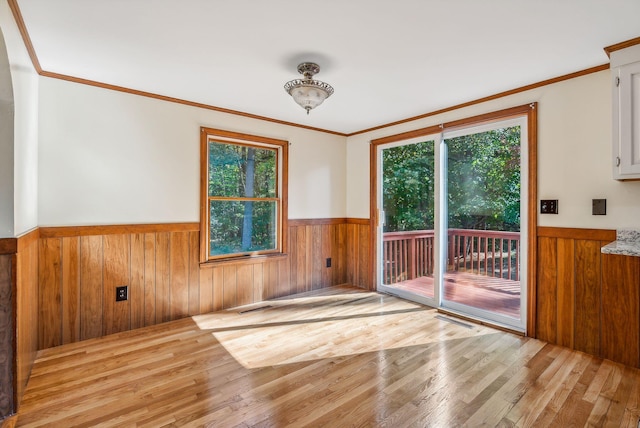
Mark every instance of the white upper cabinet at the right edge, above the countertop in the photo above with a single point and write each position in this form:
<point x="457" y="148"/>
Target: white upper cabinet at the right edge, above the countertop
<point x="625" y="71"/>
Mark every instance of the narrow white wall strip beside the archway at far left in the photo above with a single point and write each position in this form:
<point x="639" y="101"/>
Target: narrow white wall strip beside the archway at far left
<point x="25" y="128"/>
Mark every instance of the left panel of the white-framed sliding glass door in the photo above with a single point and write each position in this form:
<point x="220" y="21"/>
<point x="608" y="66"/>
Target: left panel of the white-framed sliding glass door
<point x="408" y="212"/>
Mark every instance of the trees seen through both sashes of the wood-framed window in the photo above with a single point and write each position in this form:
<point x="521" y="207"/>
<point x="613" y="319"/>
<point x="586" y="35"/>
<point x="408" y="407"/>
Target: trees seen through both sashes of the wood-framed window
<point x="242" y="198"/>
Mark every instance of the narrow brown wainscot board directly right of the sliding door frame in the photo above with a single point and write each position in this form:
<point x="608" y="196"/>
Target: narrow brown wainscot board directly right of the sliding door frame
<point x="547" y="274"/>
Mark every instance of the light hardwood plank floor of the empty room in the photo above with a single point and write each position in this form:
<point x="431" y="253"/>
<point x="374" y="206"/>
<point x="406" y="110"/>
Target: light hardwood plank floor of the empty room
<point x="335" y="357"/>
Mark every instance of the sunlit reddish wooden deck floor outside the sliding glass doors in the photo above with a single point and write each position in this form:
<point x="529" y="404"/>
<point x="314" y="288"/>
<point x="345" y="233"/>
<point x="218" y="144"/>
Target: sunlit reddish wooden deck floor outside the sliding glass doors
<point x="492" y="294"/>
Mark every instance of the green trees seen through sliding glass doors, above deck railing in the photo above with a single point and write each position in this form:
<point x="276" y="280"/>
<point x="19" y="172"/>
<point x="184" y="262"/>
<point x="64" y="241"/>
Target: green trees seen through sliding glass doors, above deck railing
<point x="483" y="182"/>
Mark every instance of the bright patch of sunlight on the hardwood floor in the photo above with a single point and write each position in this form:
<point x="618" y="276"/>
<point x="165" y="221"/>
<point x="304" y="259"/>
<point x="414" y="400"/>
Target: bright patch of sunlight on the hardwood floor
<point x="269" y="334"/>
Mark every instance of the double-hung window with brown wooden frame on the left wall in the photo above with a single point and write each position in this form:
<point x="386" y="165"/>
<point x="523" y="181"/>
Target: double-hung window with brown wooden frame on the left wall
<point x="243" y="207"/>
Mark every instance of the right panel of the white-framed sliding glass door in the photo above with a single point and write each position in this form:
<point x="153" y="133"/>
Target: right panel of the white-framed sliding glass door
<point x="485" y="214"/>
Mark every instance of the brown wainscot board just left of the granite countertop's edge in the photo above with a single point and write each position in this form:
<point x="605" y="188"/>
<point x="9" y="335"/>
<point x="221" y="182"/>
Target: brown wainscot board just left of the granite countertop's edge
<point x="587" y="298"/>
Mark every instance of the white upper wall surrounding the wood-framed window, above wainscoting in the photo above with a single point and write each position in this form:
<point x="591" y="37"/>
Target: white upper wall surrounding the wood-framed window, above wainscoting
<point x="108" y="157"/>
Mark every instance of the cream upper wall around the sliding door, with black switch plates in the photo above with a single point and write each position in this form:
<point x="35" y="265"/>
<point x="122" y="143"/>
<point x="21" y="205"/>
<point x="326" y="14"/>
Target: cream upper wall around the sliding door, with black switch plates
<point x="574" y="154"/>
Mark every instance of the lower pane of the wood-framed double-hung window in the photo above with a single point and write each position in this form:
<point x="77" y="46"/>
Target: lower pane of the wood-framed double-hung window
<point x="242" y="226"/>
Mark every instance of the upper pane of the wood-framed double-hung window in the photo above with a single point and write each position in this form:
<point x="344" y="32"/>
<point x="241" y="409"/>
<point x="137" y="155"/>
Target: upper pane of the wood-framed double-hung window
<point x="241" y="171"/>
